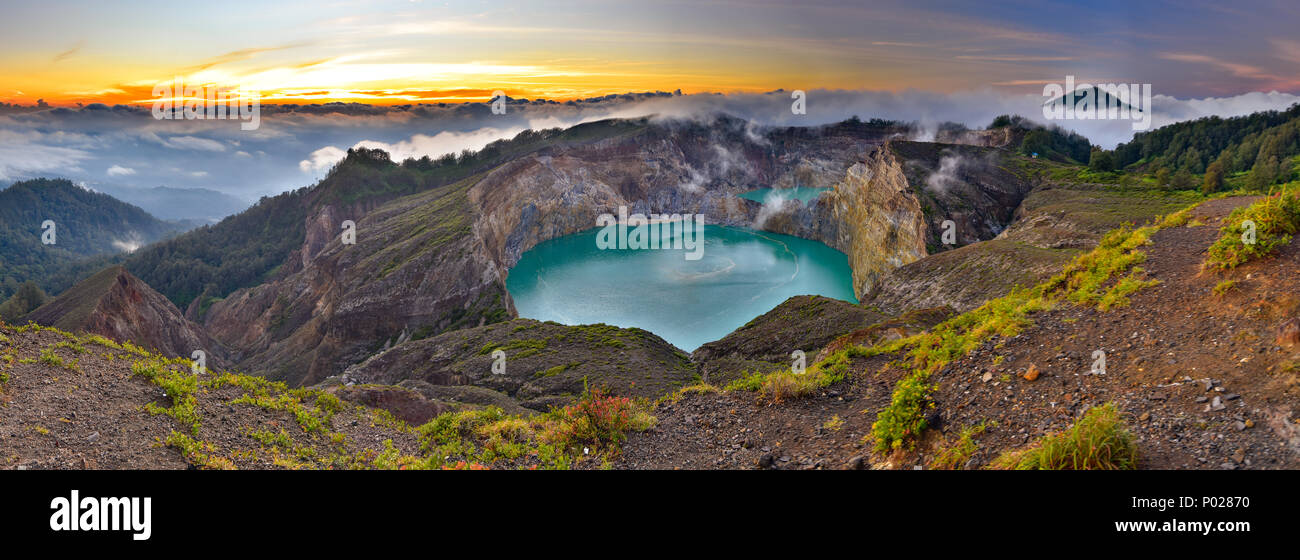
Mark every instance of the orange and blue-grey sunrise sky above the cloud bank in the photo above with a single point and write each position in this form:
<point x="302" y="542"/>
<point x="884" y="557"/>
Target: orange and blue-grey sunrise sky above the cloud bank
<point x="396" y="53"/>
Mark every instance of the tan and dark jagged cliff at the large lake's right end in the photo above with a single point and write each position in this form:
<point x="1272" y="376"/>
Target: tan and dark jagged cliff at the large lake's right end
<point x="890" y="209"/>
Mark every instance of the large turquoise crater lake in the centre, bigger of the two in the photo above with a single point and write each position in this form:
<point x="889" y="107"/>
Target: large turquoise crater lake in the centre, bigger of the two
<point x="742" y="276"/>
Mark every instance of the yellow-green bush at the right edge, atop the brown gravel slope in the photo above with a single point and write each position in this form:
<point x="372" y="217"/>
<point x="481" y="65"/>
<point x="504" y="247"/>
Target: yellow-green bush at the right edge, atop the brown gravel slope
<point x="1276" y="219"/>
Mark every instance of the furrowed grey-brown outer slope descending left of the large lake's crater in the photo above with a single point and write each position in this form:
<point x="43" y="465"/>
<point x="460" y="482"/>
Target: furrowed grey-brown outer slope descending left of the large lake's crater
<point x="417" y="268"/>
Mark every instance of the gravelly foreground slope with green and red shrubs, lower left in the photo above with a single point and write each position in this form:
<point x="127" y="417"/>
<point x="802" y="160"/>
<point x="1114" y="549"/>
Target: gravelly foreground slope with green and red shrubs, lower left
<point x="84" y="402"/>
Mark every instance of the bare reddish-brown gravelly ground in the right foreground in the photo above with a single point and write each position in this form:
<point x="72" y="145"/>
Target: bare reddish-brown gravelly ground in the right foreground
<point x="1171" y="357"/>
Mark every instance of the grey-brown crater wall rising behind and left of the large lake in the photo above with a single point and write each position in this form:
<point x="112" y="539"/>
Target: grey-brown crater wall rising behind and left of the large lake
<point x="671" y="168"/>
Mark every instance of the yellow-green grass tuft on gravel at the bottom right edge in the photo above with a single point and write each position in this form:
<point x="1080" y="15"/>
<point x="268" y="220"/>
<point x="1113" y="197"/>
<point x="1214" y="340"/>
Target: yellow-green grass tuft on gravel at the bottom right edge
<point x="1099" y="441"/>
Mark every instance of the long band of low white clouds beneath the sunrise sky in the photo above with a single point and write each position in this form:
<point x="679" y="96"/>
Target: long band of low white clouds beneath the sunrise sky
<point x="125" y="147"/>
